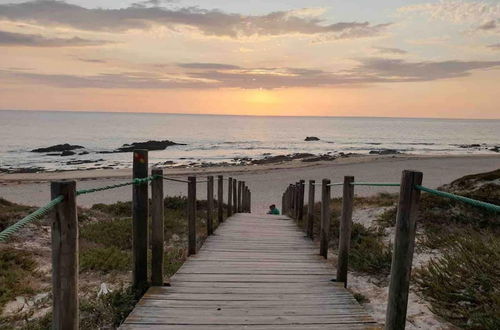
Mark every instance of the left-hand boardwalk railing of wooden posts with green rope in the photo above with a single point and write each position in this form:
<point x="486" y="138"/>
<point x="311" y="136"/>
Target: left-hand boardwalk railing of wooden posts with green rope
<point x="65" y="230"/>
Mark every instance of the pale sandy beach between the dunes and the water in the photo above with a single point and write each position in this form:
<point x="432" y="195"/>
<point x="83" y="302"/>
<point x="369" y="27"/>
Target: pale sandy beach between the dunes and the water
<point x="267" y="182"/>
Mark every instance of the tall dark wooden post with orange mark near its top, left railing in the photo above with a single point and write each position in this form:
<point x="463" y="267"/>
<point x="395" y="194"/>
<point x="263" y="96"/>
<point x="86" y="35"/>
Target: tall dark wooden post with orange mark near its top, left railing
<point x="140" y="201"/>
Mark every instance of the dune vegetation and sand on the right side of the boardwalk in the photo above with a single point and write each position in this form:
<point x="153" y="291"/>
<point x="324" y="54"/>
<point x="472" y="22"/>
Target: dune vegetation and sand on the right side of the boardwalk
<point x="460" y="282"/>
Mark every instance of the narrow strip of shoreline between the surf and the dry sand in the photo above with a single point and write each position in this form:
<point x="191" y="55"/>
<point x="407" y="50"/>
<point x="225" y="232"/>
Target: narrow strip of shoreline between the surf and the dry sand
<point x="96" y="174"/>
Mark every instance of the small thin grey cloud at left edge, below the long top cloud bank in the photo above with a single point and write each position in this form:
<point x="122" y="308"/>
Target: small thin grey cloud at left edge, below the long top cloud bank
<point x="35" y="40"/>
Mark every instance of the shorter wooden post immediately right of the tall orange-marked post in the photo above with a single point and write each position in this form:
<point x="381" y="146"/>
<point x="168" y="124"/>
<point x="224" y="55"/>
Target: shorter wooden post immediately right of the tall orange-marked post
<point x="157" y="222"/>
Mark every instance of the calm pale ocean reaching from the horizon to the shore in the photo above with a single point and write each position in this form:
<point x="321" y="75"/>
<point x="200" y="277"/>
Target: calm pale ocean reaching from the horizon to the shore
<point x="220" y="139"/>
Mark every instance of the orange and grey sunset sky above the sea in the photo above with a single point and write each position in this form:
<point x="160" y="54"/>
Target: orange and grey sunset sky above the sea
<point x="390" y="58"/>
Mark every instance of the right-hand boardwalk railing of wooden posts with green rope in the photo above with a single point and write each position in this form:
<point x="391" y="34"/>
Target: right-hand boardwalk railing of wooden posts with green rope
<point x="409" y="196"/>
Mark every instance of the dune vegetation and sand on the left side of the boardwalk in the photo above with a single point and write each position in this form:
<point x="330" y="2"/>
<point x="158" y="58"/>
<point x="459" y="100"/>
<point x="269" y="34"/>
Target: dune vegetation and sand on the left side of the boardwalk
<point x="105" y="260"/>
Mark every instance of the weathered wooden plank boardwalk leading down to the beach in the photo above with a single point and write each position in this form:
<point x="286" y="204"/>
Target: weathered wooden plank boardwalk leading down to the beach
<point x="255" y="272"/>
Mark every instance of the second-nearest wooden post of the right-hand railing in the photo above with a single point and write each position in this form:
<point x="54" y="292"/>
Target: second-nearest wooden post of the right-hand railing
<point x="345" y="230"/>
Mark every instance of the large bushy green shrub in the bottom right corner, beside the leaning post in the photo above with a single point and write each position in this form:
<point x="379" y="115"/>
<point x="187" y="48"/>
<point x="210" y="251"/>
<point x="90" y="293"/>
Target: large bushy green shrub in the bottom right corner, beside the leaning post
<point x="463" y="285"/>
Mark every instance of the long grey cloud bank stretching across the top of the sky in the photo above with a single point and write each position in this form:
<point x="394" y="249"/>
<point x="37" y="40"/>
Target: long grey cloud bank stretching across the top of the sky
<point x="209" y="22"/>
